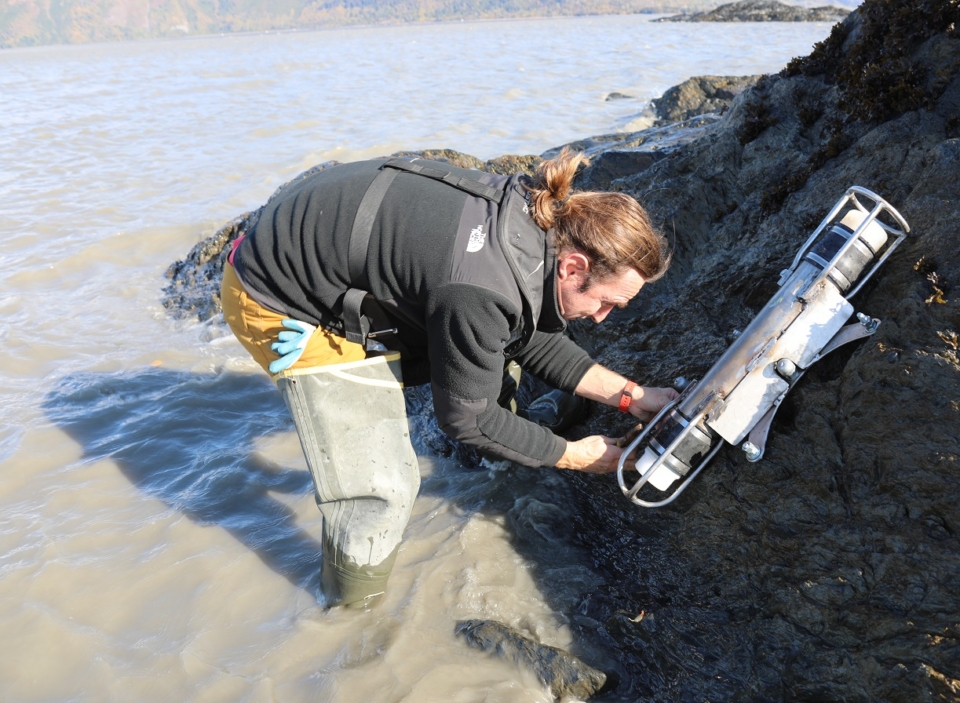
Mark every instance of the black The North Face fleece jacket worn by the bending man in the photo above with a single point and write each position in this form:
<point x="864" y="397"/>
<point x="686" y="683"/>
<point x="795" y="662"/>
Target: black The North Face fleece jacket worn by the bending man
<point x="447" y="281"/>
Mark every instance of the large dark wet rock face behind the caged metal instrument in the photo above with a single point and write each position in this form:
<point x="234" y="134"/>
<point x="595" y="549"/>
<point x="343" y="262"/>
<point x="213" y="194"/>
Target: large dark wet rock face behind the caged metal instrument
<point x="830" y="570"/>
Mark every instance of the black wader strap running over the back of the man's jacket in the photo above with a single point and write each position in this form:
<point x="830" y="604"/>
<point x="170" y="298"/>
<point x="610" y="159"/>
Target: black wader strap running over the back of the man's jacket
<point x="356" y="325"/>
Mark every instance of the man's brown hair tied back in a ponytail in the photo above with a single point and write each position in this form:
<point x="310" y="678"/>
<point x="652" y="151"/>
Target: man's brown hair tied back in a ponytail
<point x="611" y="228"/>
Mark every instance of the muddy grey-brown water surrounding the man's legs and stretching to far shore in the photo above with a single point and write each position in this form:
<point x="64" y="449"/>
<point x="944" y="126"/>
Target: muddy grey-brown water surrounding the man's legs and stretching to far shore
<point x="158" y="536"/>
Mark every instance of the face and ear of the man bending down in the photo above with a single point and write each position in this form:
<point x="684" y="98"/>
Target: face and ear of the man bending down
<point x="580" y="298"/>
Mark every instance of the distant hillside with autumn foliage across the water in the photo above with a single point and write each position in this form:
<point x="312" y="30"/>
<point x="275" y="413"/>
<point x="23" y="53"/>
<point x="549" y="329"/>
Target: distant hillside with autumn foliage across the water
<point x="35" y="22"/>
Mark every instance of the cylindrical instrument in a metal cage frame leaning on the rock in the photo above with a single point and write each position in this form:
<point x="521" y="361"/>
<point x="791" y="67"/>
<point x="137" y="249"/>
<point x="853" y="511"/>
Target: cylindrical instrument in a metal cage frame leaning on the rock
<point x="807" y="318"/>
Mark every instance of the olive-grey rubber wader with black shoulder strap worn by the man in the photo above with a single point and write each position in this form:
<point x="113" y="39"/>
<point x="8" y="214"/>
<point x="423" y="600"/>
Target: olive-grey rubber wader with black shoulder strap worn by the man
<point x="352" y="424"/>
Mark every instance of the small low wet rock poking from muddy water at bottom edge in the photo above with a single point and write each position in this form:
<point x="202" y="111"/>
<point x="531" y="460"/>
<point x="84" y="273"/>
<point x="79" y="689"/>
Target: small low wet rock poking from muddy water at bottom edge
<point x="566" y="675"/>
